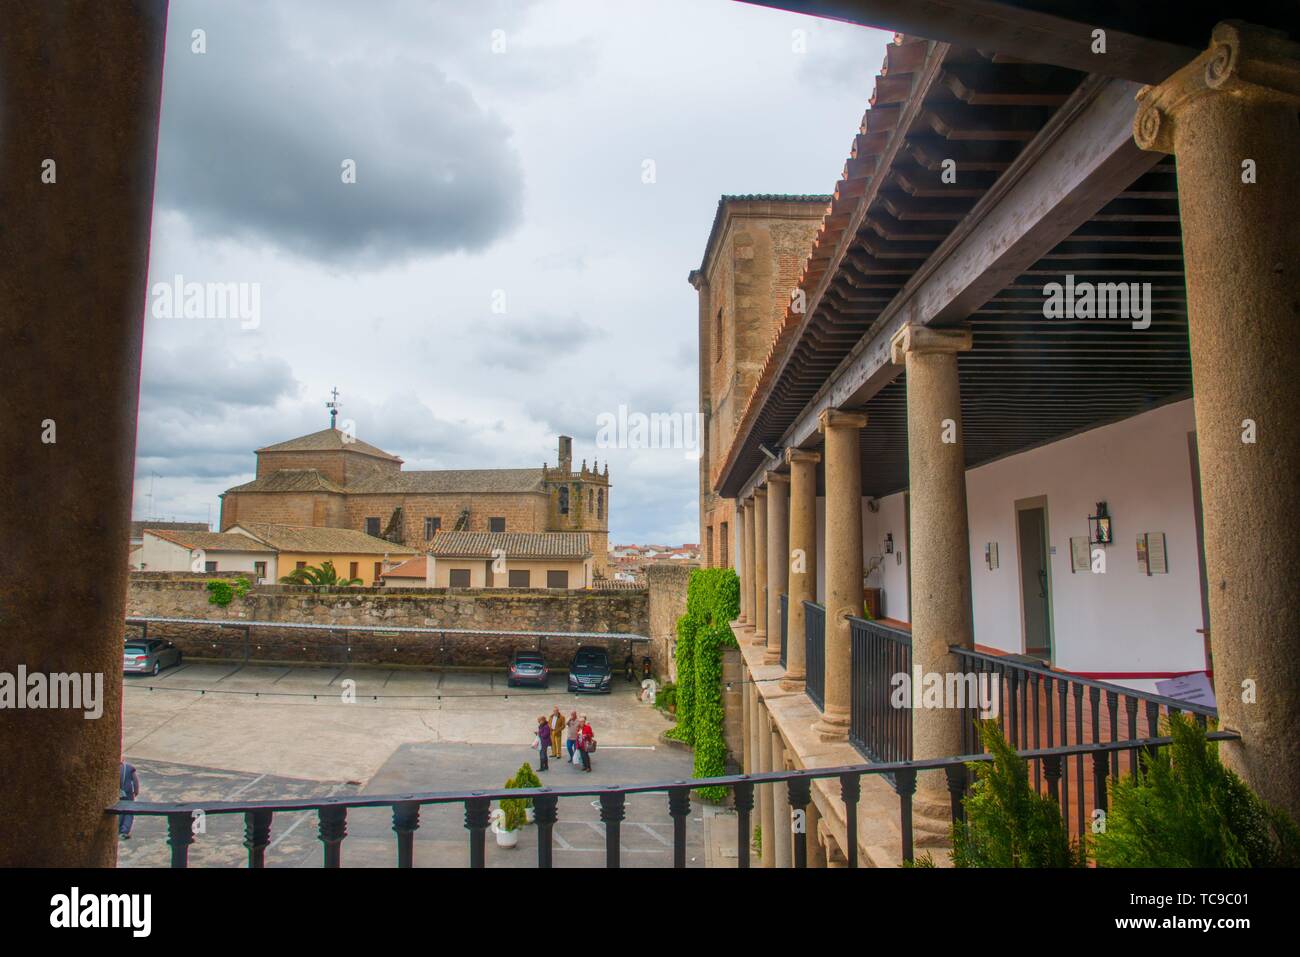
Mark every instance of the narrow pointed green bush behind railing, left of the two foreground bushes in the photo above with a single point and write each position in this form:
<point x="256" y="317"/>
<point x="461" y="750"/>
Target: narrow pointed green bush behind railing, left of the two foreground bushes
<point x="1009" y="824"/>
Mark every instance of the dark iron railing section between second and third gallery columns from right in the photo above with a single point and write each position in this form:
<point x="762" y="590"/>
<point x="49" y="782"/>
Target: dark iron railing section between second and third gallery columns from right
<point x="877" y="729"/>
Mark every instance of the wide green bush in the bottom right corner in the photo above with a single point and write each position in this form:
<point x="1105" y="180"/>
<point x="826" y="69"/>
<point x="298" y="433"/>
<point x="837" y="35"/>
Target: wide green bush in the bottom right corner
<point x="1185" y="809"/>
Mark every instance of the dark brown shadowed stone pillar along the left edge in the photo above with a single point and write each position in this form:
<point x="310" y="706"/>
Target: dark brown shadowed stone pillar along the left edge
<point x="81" y="88"/>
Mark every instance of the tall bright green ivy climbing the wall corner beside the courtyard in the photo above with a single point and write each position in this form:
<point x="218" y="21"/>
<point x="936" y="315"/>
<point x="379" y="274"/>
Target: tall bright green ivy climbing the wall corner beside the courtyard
<point x="713" y="604"/>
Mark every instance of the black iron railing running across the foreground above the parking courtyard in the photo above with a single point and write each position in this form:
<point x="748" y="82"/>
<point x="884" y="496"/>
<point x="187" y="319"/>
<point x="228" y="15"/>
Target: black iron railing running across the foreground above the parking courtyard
<point x="332" y="812"/>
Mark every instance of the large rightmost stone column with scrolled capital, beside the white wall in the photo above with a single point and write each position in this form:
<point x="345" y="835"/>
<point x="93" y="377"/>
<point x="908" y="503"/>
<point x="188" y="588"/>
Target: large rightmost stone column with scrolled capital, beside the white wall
<point x="1230" y="120"/>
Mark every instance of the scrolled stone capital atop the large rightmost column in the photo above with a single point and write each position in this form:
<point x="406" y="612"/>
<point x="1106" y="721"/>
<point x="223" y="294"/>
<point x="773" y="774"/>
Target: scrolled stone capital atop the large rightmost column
<point x="1243" y="60"/>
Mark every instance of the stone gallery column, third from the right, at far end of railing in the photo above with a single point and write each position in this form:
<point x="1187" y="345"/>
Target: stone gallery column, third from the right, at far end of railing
<point x="843" y="561"/>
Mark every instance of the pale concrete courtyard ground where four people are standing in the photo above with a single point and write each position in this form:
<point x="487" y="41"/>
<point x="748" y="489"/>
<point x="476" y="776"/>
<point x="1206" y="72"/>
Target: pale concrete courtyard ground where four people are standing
<point x="222" y="733"/>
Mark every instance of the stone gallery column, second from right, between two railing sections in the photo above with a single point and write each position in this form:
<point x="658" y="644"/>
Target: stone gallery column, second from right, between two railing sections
<point x="939" y="539"/>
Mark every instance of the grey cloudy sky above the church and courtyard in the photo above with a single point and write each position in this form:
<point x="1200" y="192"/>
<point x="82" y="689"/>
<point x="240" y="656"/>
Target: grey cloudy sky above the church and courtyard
<point x="501" y="271"/>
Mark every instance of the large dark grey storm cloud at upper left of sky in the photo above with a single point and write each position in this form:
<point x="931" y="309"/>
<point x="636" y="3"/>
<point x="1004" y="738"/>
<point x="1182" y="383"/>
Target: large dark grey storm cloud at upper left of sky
<point x="255" y="132"/>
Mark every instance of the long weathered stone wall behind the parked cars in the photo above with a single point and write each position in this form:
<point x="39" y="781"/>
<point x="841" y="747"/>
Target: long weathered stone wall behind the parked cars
<point x="530" y="610"/>
